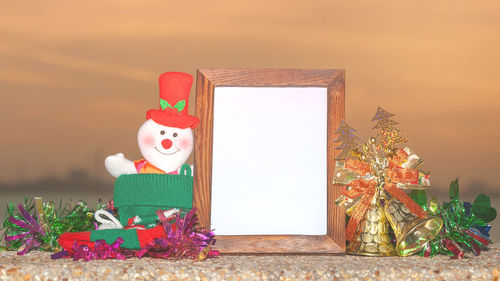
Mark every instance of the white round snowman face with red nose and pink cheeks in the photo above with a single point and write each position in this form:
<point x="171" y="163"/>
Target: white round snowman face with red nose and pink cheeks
<point x="166" y="148"/>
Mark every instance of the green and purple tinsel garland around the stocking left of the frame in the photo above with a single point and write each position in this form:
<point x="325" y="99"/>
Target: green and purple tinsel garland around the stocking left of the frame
<point x="37" y="226"/>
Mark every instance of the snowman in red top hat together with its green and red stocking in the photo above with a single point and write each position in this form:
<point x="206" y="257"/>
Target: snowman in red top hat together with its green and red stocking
<point x="165" y="141"/>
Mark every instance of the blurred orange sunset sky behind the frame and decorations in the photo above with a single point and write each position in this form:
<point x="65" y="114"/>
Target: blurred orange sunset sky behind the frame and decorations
<point x="77" y="77"/>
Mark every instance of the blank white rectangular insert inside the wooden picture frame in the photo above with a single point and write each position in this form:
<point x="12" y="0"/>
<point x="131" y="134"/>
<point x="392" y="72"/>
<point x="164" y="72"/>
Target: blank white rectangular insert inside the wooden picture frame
<point x="269" y="163"/>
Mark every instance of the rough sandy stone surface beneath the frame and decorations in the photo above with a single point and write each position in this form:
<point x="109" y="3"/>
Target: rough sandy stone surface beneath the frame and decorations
<point x="39" y="266"/>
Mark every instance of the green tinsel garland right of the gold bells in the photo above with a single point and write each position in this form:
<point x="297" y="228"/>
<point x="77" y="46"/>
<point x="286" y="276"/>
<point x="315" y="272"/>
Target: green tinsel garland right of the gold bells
<point x="466" y="226"/>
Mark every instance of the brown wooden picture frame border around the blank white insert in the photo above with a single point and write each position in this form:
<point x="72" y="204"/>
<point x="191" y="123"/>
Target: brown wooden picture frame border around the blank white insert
<point x="207" y="80"/>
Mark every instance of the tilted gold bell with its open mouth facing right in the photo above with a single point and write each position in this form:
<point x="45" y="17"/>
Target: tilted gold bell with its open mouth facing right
<point x="412" y="232"/>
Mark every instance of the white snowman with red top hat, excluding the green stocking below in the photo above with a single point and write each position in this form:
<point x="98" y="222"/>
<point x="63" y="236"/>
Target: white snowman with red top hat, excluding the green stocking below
<point x="166" y="138"/>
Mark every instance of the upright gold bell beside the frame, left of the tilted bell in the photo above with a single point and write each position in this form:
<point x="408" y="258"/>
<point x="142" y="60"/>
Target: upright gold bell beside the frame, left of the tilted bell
<point x="371" y="237"/>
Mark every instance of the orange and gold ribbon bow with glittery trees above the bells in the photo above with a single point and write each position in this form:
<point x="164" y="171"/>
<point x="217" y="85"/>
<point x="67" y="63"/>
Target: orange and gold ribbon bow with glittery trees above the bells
<point x="376" y="170"/>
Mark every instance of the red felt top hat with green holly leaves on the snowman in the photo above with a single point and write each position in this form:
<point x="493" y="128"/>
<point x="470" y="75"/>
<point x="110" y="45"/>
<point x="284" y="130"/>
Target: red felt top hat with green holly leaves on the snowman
<point x="174" y="96"/>
